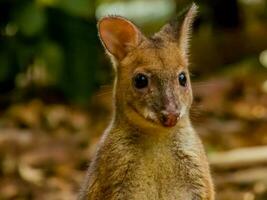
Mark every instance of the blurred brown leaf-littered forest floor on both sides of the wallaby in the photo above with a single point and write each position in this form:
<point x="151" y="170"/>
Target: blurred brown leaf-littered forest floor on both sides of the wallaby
<point x="45" y="148"/>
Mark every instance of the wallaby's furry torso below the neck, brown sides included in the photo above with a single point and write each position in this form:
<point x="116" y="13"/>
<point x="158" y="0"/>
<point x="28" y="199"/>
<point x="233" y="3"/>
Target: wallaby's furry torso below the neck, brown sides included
<point x="173" y="169"/>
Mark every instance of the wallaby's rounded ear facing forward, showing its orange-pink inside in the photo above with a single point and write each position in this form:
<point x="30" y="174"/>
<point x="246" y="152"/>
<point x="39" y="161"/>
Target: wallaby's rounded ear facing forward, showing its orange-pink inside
<point x="118" y="36"/>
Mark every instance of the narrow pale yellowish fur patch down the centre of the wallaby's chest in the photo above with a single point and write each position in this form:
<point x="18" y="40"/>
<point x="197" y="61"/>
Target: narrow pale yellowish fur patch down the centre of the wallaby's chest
<point x="157" y="176"/>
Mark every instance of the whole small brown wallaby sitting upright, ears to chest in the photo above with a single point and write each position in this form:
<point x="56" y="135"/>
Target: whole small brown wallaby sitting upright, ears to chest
<point x="150" y="150"/>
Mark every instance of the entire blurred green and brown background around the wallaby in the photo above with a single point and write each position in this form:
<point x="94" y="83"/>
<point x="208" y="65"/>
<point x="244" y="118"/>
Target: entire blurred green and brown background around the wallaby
<point x="55" y="91"/>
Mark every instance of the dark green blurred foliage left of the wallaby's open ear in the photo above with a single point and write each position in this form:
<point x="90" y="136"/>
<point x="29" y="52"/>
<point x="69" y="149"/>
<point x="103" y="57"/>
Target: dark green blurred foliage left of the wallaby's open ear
<point x="59" y="35"/>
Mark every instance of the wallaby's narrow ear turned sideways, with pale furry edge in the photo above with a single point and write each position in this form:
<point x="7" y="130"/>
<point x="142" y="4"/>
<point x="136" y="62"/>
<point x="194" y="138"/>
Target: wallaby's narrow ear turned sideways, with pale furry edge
<point x="179" y="30"/>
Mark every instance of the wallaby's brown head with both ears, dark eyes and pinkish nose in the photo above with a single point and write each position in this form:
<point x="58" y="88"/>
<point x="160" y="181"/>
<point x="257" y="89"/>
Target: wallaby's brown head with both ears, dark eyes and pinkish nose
<point x="152" y="78"/>
